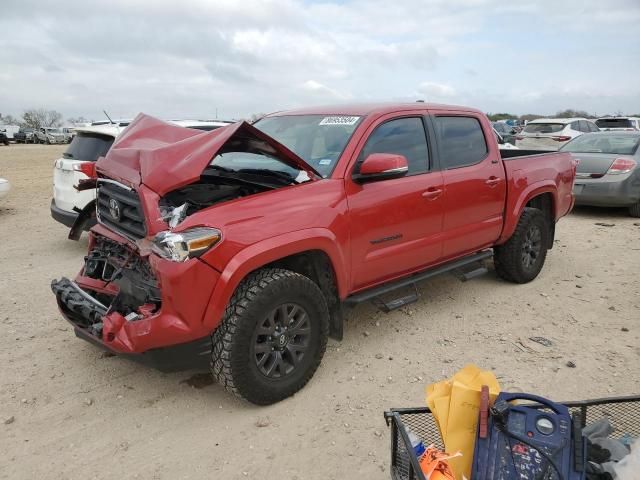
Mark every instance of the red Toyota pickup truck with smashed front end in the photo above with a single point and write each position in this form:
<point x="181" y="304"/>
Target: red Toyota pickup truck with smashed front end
<point x="244" y="245"/>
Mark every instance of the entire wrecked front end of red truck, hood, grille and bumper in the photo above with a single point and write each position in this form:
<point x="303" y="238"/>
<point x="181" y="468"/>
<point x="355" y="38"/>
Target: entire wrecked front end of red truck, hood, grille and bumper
<point x="145" y="285"/>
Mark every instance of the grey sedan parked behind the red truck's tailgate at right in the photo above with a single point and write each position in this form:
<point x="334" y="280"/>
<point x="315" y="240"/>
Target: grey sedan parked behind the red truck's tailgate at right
<point x="608" y="174"/>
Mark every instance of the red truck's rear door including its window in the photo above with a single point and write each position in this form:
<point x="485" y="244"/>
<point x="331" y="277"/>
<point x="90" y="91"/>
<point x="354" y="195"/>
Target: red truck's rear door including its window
<point x="474" y="183"/>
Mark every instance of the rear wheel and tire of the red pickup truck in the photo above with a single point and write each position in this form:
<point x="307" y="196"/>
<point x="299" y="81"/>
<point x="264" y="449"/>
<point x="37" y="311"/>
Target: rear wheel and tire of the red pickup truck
<point x="522" y="257"/>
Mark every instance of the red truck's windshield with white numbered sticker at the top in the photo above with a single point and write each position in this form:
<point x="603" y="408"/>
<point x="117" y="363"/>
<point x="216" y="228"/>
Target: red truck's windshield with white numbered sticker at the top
<point x="318" y="139"/>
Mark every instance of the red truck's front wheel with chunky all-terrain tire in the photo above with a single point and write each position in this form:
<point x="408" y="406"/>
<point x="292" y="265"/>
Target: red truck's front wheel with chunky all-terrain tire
<point x="272" y="337"/>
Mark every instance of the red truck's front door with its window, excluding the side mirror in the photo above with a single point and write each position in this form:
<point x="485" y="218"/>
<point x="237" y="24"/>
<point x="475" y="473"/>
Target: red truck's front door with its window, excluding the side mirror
<point x="395" y="224"/>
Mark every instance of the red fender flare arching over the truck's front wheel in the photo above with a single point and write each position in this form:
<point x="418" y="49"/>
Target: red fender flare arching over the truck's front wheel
<point x="267" y="251"/>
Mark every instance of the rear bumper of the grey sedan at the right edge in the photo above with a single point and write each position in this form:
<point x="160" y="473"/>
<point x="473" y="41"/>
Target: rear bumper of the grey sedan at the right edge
<point x="602" y="193"/>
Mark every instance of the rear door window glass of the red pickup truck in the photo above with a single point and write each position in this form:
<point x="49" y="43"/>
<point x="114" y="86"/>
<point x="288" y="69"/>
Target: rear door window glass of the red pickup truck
<point x="461" y="141"/>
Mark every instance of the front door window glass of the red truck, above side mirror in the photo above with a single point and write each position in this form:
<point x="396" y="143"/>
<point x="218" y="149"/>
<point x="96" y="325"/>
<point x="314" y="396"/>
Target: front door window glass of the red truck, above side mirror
<point x="404" y="136"/>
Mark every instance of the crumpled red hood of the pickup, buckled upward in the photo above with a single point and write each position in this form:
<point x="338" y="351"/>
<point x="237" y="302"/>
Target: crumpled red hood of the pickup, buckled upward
<point x="165" y="157"/>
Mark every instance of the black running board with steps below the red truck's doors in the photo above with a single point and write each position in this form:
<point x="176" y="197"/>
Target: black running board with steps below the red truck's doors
<point x="473" y="261"/>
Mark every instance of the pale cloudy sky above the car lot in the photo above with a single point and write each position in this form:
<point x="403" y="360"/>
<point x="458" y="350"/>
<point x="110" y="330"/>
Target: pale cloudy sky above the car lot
<point x="189" y="58"/>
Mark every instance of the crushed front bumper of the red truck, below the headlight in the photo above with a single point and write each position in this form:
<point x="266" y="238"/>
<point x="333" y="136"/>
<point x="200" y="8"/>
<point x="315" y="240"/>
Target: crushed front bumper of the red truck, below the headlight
<point x="174" y="331"/>
